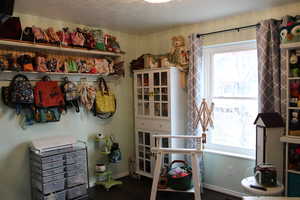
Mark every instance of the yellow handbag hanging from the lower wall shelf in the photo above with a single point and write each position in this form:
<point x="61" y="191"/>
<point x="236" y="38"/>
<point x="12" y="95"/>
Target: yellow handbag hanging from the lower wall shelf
<point x="105" y="99"/>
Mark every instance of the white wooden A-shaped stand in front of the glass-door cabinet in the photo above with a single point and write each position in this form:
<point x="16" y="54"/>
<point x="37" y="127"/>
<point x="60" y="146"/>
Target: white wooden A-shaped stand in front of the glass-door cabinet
<point x="194" y="153"/>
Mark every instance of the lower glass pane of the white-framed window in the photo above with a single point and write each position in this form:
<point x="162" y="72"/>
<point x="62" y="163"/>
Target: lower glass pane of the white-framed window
<point x="233" y="123"/>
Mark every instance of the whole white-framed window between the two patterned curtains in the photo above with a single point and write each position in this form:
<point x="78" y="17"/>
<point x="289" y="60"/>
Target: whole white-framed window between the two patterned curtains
<point x="232" y="84"/>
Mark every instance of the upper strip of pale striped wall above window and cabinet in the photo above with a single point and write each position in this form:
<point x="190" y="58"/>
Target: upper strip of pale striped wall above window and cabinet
<point x="160" y="42"/>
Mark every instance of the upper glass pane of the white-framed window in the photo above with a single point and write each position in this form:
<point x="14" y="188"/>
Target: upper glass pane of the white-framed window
<point x="235" y="74"/>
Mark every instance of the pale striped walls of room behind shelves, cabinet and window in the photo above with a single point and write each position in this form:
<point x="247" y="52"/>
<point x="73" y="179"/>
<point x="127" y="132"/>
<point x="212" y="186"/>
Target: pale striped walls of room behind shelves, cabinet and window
<point x="14" y="166"/>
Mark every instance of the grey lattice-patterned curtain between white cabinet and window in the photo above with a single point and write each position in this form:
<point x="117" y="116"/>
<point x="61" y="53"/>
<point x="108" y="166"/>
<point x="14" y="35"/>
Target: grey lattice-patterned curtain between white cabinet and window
<point x="195" y="92"/>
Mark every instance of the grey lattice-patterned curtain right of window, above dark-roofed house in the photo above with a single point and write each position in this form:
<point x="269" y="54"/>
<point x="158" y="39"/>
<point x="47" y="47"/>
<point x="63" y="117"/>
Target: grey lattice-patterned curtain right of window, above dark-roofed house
<point x="271" y="67"/>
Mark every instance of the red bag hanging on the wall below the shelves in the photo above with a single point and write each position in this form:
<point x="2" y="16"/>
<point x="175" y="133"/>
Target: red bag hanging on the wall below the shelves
<point x="47" y="93"/>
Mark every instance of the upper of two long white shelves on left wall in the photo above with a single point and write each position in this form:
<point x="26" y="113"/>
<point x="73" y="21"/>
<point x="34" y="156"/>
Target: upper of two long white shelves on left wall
<point x="21" y="45"/>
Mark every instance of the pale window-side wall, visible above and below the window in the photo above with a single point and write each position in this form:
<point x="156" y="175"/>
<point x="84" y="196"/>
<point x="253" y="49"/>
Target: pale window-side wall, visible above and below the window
<point x="221" y="172"/>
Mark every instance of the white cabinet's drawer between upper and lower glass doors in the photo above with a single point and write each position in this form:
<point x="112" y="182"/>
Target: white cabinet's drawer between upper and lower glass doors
<point x="155" y="125"/>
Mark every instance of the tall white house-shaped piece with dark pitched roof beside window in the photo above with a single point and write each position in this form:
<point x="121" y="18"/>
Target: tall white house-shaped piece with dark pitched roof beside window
<point x="269" y="149"/>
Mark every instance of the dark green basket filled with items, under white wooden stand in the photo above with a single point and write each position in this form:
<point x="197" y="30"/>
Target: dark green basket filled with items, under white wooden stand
<point x="180" y="178"/>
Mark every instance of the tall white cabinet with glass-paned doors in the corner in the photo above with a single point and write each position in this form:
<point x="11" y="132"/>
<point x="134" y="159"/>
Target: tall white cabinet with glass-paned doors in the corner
<point x="160" y="108"/>
